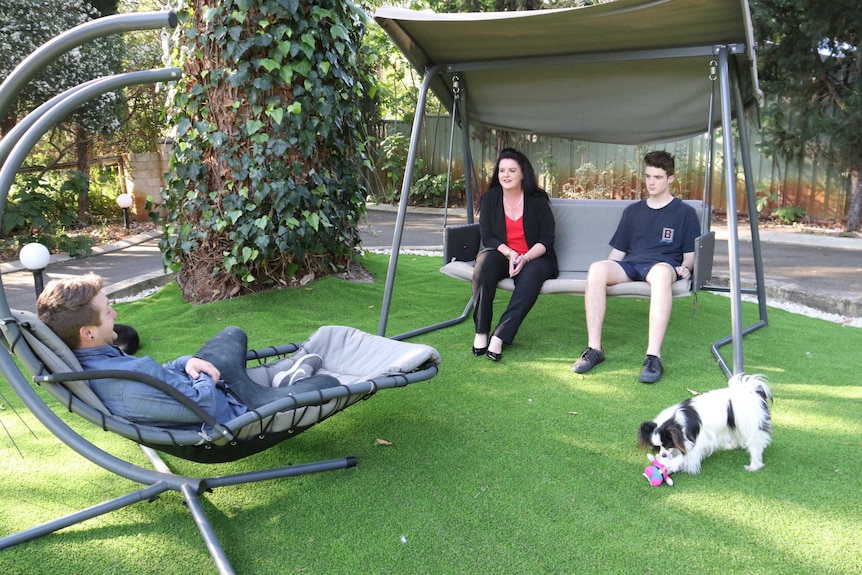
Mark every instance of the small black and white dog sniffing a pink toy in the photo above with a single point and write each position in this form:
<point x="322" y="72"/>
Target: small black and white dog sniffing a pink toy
<point x="733" y="417"/>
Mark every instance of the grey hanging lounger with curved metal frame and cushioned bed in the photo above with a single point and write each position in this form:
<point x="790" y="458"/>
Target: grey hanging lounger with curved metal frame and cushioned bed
<point x="362" y="363"/>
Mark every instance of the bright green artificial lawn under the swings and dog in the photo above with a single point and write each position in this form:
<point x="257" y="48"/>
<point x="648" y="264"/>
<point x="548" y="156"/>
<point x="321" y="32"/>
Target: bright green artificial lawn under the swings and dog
<point x="516" y="467"/>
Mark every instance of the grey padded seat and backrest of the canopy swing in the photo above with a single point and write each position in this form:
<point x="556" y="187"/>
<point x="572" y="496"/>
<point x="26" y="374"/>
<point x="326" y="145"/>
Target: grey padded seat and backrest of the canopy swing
<point x="583" y="231"/>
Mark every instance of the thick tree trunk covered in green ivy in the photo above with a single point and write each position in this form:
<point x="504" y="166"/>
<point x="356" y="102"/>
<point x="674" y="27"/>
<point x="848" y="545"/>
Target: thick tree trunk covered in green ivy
<point x="265" y="183"/>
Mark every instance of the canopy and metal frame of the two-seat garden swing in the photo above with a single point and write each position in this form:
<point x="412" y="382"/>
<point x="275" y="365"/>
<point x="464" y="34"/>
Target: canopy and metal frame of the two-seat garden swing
<point x="596" y="73"/>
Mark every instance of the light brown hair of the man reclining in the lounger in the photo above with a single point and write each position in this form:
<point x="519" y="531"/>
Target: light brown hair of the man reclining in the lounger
<point x="65" y="306"/>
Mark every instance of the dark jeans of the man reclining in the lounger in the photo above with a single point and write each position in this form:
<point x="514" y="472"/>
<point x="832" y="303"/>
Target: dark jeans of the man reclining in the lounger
<point x="227" y="352"/>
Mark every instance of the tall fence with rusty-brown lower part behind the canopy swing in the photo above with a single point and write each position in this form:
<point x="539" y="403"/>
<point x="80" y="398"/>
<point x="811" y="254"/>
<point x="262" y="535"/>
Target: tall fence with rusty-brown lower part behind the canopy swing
<point x="587" y="169"/>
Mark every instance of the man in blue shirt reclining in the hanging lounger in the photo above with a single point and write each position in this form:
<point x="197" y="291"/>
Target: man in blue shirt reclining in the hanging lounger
<point x="216" y="378"/>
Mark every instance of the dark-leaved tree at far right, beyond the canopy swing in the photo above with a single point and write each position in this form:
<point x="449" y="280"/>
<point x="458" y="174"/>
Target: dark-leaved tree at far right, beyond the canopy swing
<point x="811" y="72"/>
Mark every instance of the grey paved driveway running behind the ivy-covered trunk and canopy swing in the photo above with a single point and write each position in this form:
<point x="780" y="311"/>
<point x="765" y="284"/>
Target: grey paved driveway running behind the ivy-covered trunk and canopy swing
<point x="819" y="271"/>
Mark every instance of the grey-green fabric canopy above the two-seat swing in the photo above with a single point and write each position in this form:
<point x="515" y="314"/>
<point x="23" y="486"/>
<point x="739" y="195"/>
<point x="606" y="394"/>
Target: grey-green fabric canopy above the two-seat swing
<point x="623" y="72"/>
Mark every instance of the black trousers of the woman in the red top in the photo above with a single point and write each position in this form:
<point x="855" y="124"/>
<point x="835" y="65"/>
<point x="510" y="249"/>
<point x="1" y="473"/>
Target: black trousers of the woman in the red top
<point x="492" y="266"/>
